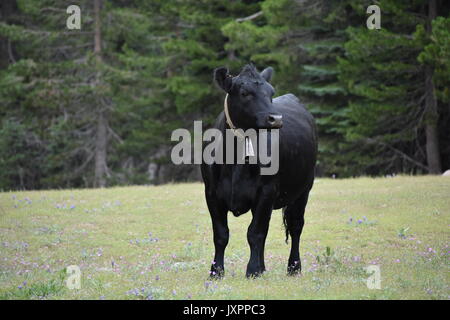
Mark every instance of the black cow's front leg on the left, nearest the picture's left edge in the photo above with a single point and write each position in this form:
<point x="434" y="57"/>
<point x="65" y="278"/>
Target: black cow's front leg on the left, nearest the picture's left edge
<point x="220" y="235"/>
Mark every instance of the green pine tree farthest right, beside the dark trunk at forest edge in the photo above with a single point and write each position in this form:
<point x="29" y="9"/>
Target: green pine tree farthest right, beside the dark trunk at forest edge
<point x="391" y="92"/>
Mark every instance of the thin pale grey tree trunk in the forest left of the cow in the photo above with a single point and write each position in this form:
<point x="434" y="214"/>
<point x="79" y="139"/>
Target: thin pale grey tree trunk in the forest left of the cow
<point x="101" y="139"/>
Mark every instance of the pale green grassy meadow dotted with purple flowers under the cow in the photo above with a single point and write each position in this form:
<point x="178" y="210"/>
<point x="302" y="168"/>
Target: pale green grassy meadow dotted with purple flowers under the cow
<point x="156" y="242"/>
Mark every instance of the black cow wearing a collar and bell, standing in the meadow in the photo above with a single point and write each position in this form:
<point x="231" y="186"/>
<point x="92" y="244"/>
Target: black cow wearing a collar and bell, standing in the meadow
<point x="240" y="187"/>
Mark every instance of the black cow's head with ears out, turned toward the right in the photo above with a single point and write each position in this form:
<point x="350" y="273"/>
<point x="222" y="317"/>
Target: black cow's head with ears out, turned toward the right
<point x="249" y="98"/>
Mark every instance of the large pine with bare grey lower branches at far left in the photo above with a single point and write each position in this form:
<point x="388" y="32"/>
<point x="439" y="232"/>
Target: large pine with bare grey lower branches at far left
<point x="65" y="87"/>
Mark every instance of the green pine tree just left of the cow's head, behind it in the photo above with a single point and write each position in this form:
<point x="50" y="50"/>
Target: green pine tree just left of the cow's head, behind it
<point x="192" y="45"/>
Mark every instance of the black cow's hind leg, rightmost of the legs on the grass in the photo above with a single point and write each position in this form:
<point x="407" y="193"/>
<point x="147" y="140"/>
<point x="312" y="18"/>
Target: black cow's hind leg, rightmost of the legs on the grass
<point x="293" y="217"/>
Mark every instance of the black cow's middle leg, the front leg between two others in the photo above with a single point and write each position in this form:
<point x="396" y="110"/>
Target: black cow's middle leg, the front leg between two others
<point x="257" y="233"/>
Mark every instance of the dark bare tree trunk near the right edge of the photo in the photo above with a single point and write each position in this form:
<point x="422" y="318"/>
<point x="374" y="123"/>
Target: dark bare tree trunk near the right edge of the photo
<point x="431" y="113"/>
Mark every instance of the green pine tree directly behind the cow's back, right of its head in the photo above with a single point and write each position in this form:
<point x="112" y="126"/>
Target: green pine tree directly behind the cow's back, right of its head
<point x="302" y="40"/>
